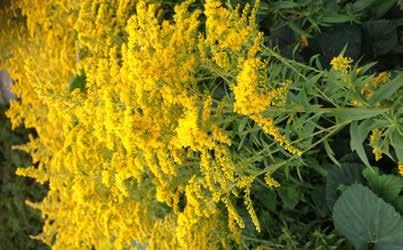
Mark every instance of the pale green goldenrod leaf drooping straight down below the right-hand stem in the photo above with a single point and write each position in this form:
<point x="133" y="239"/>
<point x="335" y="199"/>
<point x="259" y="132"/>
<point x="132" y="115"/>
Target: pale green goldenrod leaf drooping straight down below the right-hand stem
<point x="358" y="135"/>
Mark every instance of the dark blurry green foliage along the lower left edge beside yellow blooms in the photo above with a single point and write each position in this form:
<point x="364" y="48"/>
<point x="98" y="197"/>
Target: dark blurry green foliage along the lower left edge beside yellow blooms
<point x="17" y="220"/>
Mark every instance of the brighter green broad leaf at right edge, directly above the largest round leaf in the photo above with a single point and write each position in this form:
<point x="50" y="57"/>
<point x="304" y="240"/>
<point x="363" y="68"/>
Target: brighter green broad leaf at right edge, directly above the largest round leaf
<point x="387" y="187"/>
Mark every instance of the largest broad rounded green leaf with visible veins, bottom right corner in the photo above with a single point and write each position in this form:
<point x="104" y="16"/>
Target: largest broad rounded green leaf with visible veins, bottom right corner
<point x="365" y="219"/>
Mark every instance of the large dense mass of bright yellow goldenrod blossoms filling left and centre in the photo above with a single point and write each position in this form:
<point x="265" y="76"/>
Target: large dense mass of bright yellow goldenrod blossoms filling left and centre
<point x="139" y="157"/>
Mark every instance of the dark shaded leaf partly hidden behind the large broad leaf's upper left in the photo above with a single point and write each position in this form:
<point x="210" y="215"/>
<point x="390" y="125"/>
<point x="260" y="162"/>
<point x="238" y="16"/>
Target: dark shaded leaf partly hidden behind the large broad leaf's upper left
<point x="347" y="174"/>
